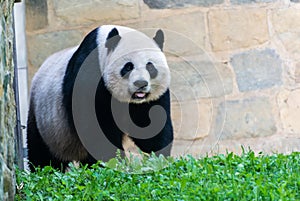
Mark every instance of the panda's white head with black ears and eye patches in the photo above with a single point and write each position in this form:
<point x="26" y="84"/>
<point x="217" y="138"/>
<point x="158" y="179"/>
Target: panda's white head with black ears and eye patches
<point x="135" y="69"/>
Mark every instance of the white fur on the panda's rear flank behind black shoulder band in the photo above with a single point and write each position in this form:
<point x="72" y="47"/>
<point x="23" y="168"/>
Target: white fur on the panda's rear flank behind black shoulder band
<point x="46" y="93"/>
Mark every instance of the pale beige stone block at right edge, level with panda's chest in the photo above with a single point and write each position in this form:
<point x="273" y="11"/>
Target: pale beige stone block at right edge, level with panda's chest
<point x="289" y="106"/>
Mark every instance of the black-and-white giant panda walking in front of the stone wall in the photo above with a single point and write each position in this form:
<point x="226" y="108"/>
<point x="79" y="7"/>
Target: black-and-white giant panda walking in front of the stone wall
<point x="134" y="74"/>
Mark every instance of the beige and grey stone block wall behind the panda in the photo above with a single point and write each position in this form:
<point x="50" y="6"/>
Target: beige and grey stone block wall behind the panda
<point x="235" y="63"/>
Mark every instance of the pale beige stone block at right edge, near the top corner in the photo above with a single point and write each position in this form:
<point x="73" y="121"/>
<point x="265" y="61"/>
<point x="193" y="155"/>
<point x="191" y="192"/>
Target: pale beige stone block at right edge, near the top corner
<point x="286" y="20"/>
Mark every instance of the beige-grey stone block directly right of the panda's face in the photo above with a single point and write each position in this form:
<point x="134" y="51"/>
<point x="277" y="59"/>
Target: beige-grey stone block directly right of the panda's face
<point x="192" y="80"/>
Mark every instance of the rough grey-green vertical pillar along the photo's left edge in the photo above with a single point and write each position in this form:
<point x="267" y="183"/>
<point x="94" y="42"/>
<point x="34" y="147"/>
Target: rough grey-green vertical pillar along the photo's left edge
<point x="7" y="102"/>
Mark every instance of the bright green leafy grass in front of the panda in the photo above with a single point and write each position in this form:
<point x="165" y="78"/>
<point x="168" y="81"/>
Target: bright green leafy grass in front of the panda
<point x="221" y="177"/>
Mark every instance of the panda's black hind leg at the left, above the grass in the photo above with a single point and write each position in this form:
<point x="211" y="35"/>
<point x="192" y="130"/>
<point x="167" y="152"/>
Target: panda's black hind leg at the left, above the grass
<point x="38" y="152"/>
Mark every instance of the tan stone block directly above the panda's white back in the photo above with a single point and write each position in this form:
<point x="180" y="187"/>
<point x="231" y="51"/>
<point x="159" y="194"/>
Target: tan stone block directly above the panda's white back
<point x="41" y="46"/>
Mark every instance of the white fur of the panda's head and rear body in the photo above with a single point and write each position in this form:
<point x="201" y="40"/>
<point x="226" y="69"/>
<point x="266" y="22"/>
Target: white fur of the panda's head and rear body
<point x="46" y="89"/>
